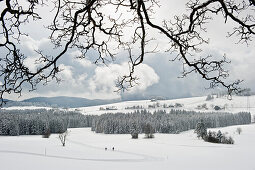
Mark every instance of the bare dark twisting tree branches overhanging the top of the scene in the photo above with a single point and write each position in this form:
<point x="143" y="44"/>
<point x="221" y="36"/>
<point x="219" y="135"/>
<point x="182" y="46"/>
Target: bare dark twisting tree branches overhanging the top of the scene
<point x="79" y="24"/>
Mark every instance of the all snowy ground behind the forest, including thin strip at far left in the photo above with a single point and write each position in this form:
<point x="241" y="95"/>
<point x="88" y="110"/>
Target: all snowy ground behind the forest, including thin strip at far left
<point x="236" y="104"/>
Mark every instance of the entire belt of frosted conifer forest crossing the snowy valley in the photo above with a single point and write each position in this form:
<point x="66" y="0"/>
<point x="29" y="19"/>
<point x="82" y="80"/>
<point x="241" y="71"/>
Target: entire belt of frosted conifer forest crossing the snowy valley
<point x="42" y="121"/>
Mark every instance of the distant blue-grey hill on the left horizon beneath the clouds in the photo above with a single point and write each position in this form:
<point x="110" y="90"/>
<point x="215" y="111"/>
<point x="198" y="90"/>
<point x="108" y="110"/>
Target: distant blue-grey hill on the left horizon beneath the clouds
<point x="60" y="101"/>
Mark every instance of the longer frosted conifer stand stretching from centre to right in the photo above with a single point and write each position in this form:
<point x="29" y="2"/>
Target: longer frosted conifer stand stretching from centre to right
<point x="173" y="122"/>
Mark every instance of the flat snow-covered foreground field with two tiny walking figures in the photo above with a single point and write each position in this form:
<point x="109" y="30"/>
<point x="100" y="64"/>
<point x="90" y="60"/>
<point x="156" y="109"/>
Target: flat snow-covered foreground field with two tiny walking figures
<point x="86" y="150"/>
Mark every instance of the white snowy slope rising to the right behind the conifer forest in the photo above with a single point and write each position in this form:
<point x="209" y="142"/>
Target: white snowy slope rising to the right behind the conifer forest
<point x="236" y="104"/>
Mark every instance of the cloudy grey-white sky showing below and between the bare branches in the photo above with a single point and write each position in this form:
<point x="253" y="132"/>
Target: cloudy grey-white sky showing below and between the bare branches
<point x="158" y="75"/>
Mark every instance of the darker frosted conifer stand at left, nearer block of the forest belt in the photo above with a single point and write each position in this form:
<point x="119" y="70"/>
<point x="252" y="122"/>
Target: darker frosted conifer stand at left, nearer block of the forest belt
<point x="39" y="122"/>
